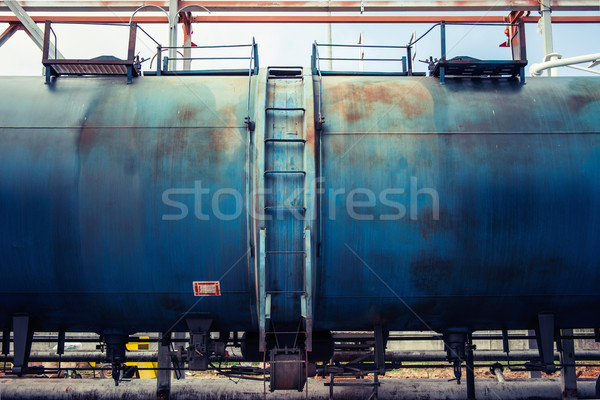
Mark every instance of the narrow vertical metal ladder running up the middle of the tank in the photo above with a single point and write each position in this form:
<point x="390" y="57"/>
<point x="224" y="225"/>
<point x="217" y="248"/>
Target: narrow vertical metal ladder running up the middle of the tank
<point x="284" y="275"/>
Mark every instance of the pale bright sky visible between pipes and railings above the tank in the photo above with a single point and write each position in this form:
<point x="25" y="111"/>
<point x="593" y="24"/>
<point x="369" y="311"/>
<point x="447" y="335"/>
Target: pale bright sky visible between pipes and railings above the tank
<point x="290" y="44"/>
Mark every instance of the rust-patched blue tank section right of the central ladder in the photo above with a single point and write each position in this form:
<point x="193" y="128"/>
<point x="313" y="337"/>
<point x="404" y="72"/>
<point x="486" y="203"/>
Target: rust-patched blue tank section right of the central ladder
<point x="515" y="171"/>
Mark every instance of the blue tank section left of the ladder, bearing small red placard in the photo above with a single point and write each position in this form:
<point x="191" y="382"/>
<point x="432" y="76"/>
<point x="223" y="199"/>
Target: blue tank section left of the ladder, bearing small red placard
<point x="88" y="169"/>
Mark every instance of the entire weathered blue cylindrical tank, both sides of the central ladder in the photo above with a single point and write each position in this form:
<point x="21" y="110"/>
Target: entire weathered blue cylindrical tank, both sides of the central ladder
<point x="473" y="204"/>
